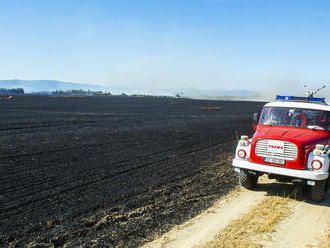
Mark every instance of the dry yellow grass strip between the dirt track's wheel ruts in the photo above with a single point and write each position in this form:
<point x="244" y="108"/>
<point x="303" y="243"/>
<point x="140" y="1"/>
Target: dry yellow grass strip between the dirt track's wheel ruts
<point x="255" y="226"/>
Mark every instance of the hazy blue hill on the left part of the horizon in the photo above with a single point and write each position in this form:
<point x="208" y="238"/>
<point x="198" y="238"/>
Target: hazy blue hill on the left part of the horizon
<point x="46" y="85"/>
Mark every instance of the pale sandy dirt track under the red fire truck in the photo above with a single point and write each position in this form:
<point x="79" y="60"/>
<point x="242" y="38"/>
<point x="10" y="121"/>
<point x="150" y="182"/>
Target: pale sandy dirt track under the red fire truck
<point x="303" y="226"/>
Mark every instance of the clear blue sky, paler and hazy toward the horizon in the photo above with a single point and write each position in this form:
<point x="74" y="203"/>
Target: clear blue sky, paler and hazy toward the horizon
<point x="204" y="44"/>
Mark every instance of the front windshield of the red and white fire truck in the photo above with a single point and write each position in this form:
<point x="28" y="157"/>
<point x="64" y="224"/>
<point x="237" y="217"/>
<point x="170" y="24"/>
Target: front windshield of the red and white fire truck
<point x="296" y="117"/>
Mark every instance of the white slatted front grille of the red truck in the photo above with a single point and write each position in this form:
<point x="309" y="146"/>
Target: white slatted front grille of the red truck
<point x="290" y="150"/>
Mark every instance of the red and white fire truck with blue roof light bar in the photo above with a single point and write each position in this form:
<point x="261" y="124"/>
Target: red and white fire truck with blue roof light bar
<point x="290" y="144"/>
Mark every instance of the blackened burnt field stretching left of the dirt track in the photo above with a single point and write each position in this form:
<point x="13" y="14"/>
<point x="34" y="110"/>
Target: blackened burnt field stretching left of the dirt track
<point x="111" y="171"/>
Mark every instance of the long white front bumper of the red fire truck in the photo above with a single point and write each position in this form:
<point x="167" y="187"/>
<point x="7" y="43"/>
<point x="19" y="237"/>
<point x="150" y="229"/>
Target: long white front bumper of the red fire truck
<point x="304" y="174"/>
